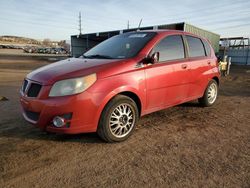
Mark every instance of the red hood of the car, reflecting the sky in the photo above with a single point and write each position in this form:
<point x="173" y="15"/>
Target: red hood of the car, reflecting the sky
<point x="69" y="68"/>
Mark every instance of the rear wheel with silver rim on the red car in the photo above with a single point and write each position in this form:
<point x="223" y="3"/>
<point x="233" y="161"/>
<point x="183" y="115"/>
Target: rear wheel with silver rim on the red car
<point x="210" y="94"/>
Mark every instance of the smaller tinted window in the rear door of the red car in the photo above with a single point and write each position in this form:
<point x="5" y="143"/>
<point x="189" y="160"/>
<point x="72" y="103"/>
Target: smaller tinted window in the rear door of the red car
<point x="196" y="48"/>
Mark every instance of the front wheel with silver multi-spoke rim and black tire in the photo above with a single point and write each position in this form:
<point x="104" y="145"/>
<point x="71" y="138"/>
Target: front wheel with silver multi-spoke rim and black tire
<point x="118" y="119"/>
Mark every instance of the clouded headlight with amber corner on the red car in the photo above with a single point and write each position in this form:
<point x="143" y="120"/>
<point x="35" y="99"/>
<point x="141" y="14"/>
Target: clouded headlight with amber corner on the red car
<point x="72" y="86"/>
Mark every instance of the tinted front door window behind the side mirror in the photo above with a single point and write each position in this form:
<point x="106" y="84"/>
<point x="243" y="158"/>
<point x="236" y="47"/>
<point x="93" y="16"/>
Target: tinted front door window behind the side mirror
<point x="170" y="48"/>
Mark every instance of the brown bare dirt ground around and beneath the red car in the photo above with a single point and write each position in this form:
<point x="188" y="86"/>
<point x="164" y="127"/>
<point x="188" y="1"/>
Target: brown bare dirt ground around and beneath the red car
<point x="183" y="146"/>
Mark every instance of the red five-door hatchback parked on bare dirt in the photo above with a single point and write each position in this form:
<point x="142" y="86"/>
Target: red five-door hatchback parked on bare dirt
<point x="123" y="78"/>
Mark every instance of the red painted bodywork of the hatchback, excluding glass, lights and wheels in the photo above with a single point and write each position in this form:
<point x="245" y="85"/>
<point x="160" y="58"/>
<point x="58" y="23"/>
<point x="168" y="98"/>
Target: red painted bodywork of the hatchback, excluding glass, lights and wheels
<point x="158" y="86"/>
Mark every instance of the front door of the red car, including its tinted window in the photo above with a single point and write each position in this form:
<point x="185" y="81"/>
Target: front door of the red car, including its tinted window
<point x="167" y="82"/>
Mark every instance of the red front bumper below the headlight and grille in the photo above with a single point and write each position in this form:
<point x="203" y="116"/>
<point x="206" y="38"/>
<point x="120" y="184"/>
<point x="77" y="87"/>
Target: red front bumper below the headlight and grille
<point x="41" y="111"/>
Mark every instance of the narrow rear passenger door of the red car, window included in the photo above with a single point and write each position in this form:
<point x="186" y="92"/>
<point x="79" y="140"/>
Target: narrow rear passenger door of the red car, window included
<point x="199" y="64"/>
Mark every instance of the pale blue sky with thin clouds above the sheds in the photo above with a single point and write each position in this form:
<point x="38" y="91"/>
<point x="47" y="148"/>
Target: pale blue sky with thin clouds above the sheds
<point x="58" y="19"/>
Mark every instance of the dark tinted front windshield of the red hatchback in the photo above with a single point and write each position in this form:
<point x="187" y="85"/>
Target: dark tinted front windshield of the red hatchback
<point x="121" y="46"/>
